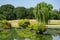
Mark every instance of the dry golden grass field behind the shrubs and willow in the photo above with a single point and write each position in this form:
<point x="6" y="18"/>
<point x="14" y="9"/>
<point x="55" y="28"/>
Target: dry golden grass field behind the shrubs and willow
<point x="32" y="21"/>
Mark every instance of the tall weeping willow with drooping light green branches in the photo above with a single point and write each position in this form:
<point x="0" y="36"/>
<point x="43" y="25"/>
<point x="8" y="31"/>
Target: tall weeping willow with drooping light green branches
<point x="41" y="12"/>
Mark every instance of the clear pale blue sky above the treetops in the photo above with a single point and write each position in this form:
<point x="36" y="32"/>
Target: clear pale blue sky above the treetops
<point x="30" y="3"/>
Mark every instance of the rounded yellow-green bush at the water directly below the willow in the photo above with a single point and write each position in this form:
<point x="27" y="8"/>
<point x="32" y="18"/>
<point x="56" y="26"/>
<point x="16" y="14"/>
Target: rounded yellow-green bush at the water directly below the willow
<point x="39" y="28"/>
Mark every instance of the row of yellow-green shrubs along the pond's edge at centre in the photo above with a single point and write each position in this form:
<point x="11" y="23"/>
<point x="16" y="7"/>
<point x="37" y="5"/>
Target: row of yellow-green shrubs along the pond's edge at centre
<point x="36" y="27"/>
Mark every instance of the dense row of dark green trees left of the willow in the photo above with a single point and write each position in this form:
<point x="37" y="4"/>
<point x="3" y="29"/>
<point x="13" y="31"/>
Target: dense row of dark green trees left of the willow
<point x="9" y="12"/>
